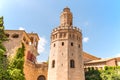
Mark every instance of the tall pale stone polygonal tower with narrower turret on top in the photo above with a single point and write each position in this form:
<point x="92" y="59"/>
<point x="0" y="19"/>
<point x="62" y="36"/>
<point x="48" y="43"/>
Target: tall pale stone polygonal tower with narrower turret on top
<point x="65" y="60"/>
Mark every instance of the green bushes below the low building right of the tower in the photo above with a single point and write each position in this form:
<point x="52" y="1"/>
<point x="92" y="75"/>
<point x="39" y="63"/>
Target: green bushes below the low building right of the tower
<point x="109" y="73"/>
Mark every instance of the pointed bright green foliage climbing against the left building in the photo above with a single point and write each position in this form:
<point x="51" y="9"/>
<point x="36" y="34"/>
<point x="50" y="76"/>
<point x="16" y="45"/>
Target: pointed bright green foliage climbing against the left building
<point x="16" y="65"/>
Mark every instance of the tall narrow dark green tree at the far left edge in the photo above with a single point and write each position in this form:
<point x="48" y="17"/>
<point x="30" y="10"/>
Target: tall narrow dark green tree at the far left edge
<point x="3" y="59"/>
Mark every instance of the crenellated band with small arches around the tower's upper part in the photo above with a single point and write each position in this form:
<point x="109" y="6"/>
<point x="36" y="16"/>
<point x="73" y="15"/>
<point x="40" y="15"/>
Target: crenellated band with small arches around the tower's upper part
<point x="66" y="32"/>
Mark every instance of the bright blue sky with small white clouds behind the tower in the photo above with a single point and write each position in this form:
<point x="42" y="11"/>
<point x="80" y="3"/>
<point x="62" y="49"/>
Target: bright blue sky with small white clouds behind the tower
<point x="98" y="19"/>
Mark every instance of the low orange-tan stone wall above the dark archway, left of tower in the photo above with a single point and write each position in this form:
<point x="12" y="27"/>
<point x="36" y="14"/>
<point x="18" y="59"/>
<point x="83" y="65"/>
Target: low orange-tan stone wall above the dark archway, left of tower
<point x="33" y="71"/>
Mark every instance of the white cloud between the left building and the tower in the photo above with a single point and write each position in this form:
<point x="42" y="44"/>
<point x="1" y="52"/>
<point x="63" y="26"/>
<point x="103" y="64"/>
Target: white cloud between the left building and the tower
<point x="41" y="45"/>
